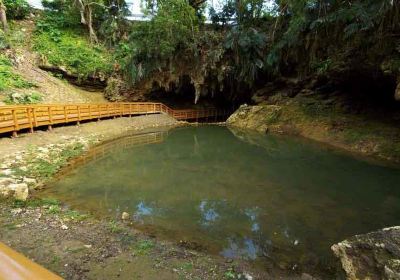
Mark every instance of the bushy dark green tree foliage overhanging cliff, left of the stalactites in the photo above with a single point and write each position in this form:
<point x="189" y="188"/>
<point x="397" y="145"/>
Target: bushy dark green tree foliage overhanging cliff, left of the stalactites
<point x="172" y="31"/>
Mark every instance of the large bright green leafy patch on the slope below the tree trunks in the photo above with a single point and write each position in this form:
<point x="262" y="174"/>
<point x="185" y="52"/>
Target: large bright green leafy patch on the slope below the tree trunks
<point x="69" y="48"/>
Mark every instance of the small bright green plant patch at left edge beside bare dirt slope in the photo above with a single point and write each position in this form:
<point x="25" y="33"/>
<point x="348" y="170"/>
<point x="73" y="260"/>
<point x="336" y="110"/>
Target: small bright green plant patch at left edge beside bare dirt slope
<point x="9" y="79"/>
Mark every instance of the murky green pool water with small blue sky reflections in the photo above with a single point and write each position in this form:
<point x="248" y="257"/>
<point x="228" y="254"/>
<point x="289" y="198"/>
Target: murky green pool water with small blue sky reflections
<point x="279" y="201"/>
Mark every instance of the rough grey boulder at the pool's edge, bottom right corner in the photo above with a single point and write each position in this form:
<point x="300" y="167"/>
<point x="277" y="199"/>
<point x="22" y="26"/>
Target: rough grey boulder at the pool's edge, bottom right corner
<point x="371" y="256"/>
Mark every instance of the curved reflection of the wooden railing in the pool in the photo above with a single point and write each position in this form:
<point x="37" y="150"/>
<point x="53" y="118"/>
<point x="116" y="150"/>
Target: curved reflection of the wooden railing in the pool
<point x="123" y="143"/>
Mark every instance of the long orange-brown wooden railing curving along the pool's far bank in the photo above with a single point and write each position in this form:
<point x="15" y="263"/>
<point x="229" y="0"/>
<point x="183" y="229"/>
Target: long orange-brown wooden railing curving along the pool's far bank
<point x="16" y="118"/>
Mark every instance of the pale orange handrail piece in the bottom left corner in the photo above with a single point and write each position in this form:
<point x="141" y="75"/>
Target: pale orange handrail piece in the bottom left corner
<point x="13" y="265"/>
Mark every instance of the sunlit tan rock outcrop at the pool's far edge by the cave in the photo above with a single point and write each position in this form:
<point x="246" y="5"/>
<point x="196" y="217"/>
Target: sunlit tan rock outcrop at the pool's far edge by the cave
<point x="260" y="118"/>
